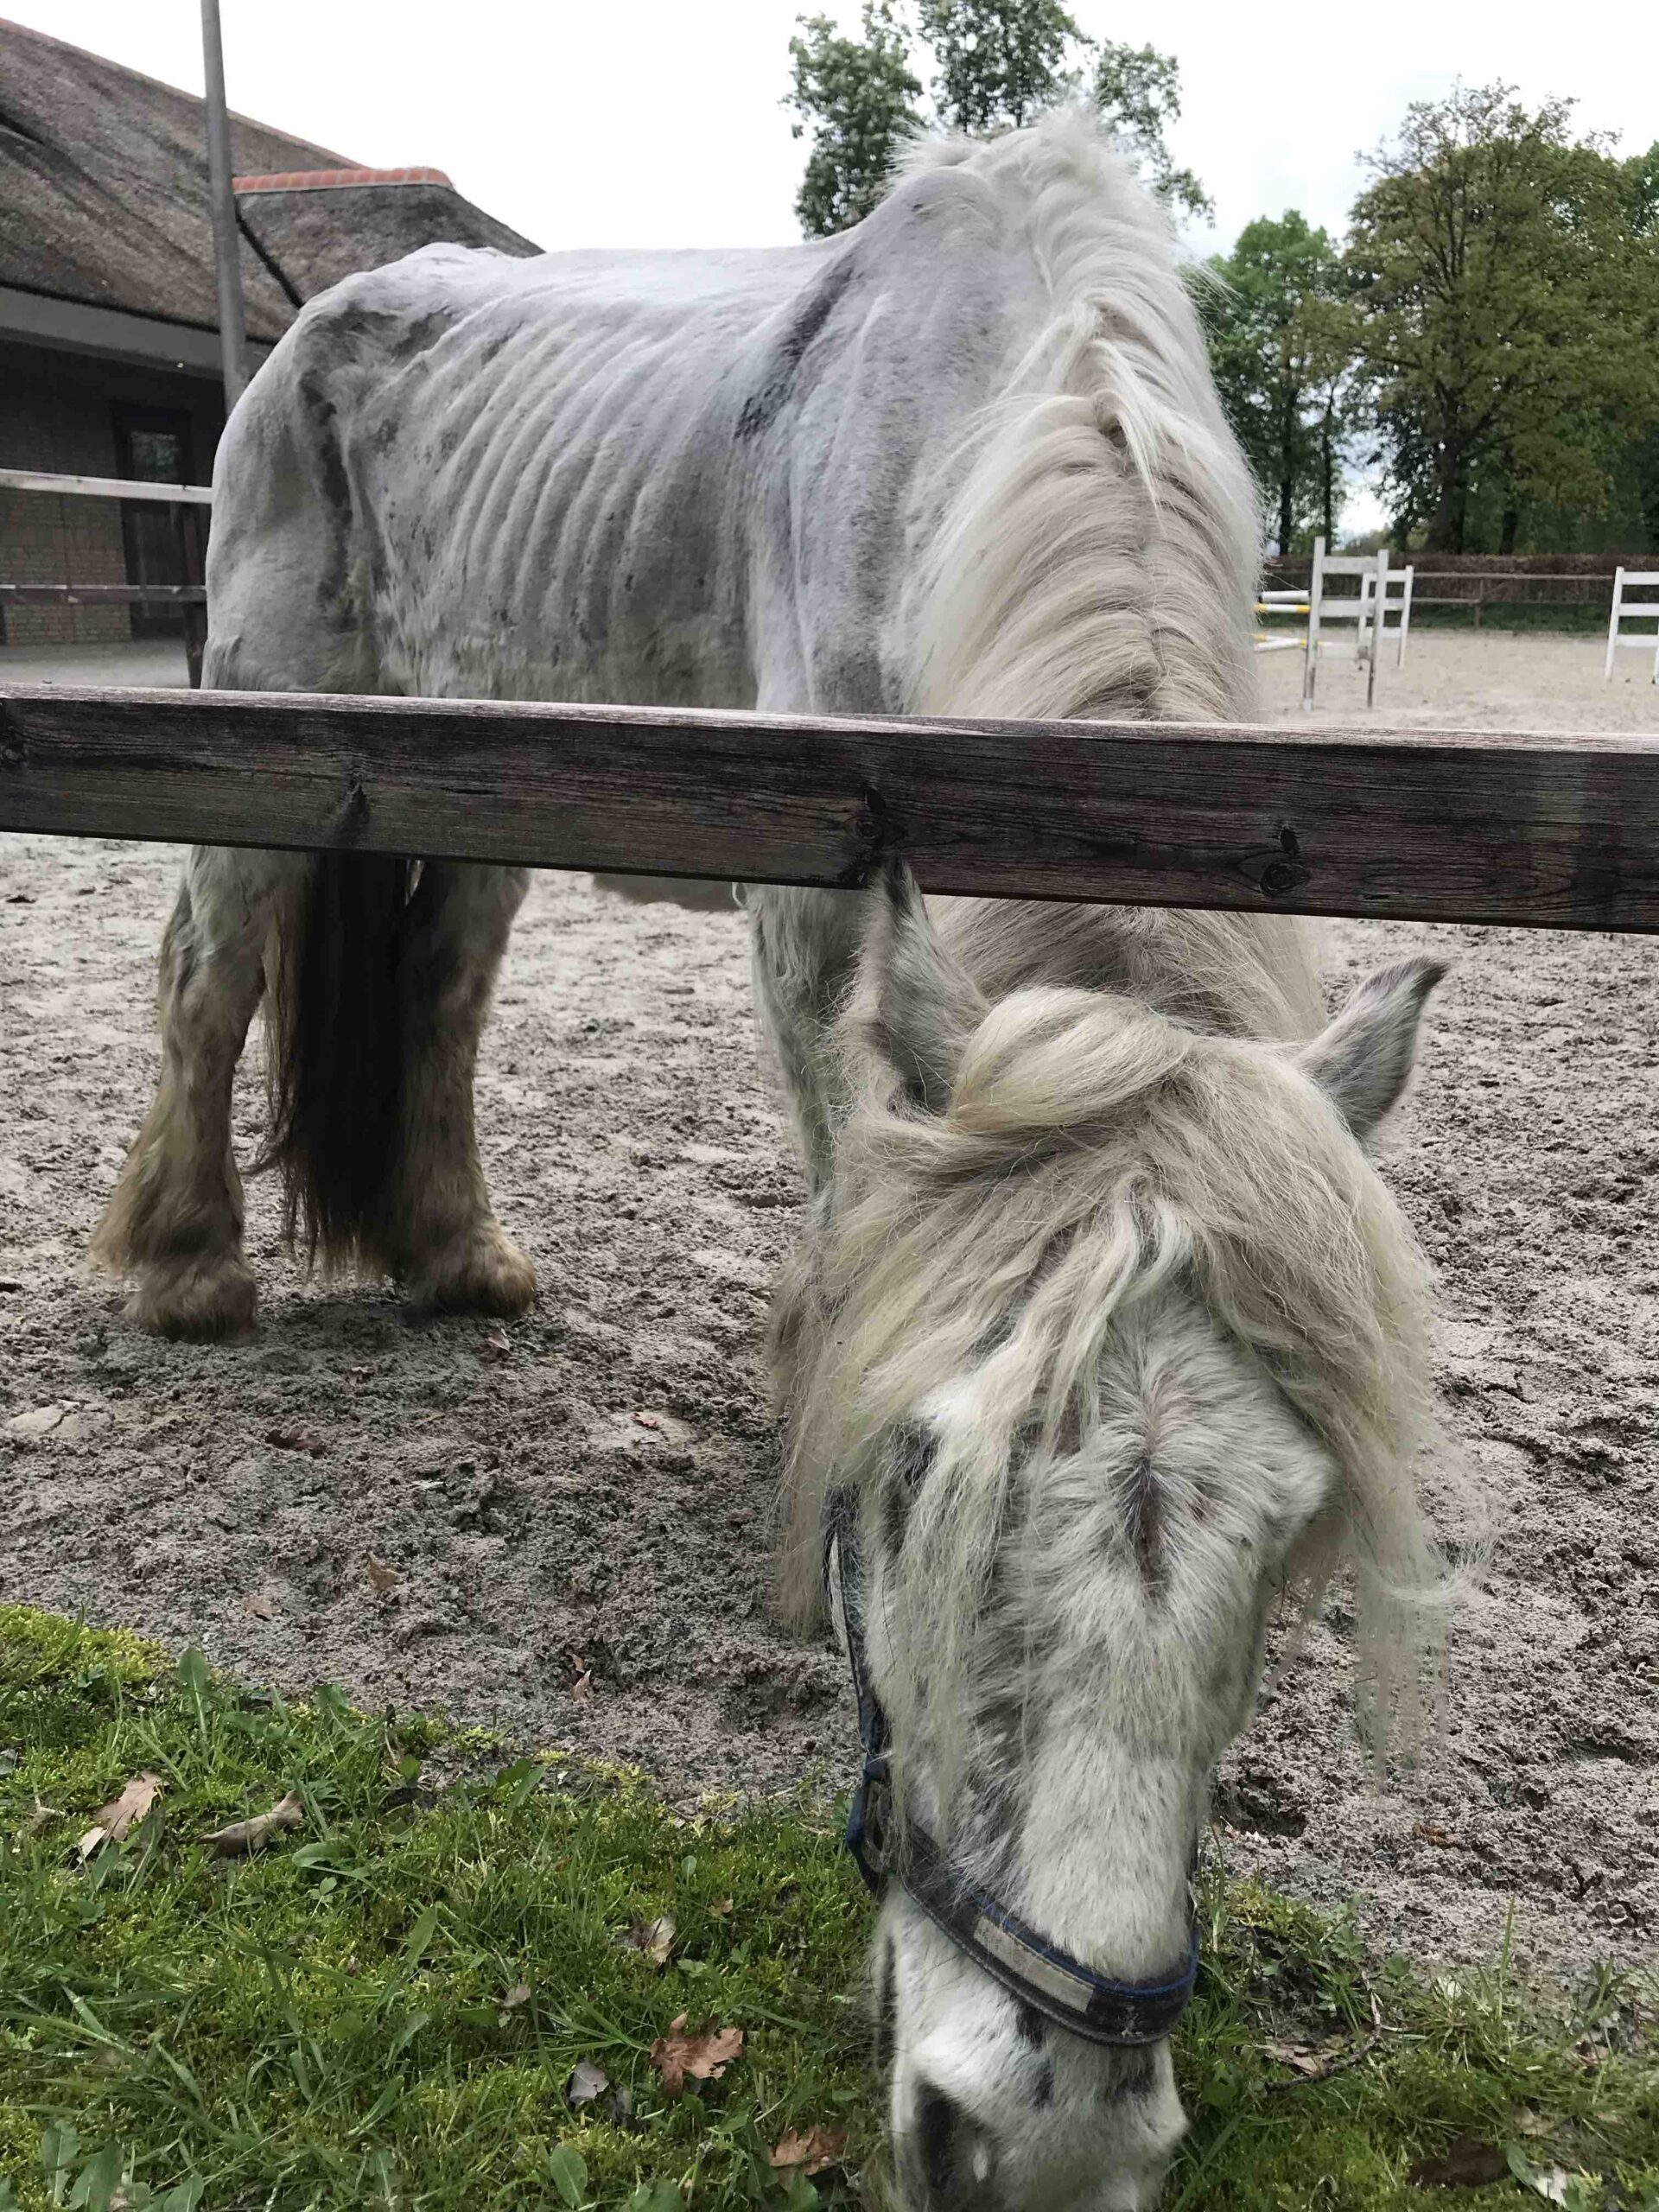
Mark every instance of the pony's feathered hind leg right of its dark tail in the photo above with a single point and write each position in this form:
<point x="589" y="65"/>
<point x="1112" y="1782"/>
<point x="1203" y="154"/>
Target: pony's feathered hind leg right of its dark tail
<point x="446" y="1244"/>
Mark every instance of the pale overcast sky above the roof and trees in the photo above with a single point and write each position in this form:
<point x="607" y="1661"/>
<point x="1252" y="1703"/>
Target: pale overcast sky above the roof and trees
<point x="658" y="123"/>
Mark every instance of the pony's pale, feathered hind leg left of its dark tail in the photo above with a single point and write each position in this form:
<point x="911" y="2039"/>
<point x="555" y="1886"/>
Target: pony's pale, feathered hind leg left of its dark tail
<point x="174" y="1220"/>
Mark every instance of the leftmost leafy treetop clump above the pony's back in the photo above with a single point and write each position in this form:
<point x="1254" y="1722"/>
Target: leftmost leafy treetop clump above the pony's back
<point x="857" y="103"/>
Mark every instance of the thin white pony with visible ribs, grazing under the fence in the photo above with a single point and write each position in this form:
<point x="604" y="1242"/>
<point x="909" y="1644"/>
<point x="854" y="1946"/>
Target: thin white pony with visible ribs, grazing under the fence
<point x="1105" y="1331"/>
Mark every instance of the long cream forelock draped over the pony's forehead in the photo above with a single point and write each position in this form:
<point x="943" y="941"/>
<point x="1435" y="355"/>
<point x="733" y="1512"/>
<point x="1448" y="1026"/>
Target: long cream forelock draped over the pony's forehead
<point x="1096" y="1156"/>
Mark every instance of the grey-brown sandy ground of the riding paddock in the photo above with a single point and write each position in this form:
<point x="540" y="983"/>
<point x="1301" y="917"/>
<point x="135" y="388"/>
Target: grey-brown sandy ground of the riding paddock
<point x="563" y="1527"/>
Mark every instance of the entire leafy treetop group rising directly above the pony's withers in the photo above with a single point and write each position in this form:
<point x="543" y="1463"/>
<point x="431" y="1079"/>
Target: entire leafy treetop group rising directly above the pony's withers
<point x="997" y="67"/>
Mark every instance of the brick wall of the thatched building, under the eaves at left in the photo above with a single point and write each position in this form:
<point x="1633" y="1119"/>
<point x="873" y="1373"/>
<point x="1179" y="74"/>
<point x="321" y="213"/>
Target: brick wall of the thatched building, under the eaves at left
<point x="56" y="413"/>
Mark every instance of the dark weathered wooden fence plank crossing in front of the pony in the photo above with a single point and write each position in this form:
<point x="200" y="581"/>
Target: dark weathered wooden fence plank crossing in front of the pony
<point x="1439" y="826"/>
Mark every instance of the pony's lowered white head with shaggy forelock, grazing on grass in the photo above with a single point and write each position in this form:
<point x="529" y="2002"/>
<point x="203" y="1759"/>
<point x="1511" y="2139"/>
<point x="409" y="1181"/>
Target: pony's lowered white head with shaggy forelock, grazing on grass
<point x="1107" y="1335"/>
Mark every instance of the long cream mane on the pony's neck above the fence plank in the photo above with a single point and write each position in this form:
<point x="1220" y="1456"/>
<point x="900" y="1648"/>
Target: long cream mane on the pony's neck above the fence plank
<point x="1096" y="552"/>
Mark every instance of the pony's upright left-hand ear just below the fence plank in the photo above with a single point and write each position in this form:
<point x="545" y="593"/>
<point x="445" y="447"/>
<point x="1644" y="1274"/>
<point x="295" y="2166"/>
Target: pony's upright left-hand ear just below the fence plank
<point x="915" y="1005"/>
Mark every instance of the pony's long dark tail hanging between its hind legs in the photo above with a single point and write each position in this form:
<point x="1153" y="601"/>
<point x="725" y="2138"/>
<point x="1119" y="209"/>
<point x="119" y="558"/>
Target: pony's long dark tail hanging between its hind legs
<point x="335" y="1056"/>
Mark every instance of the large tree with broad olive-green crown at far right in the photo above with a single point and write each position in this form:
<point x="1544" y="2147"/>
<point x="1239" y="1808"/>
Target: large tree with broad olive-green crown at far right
<point x="1505" y="309"/>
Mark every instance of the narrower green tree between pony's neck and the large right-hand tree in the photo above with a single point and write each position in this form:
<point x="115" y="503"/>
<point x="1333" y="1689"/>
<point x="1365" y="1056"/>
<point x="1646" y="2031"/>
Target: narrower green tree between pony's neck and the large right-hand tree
<point x="1280" y="348"/>
